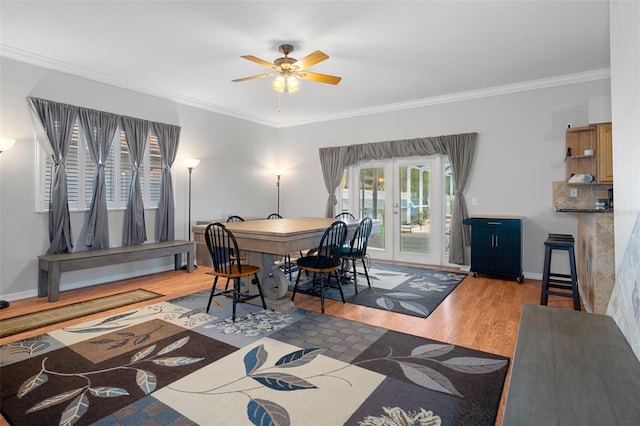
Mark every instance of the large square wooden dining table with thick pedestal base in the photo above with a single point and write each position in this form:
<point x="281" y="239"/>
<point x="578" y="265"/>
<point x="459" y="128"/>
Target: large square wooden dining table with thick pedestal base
<point x="264" y="243"/>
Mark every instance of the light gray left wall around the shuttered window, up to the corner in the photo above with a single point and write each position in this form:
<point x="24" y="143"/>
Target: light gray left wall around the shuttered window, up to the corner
<point x="218" y="181"/>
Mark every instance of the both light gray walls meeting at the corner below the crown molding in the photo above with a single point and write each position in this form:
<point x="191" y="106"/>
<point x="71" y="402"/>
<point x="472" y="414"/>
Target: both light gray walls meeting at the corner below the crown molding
<point x="520" y="152"/>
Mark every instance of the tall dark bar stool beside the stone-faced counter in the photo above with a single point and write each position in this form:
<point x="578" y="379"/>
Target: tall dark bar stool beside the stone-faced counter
<point x="566" y="282"/>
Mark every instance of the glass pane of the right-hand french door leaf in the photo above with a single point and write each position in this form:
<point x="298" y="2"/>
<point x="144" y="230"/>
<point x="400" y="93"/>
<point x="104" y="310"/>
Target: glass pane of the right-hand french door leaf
<point x="414" y="209"/>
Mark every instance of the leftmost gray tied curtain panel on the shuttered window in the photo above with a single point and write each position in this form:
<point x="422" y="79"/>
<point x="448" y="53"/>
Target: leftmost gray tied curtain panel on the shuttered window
<point x="57" y="122"/>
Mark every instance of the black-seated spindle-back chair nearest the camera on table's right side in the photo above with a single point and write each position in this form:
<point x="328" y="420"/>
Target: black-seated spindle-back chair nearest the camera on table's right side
<point x="324" y="262"/>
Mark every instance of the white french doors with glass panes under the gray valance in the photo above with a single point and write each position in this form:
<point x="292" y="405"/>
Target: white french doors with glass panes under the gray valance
<point x="410" y="201"/>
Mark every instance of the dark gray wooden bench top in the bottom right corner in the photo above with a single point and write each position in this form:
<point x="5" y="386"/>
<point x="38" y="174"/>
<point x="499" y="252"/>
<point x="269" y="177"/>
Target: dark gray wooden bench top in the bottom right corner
<point x="572" y="368"/>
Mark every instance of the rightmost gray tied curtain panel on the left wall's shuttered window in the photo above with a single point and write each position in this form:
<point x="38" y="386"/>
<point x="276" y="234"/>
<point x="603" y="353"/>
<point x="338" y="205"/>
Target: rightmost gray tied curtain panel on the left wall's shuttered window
<point x="168" y="141"/>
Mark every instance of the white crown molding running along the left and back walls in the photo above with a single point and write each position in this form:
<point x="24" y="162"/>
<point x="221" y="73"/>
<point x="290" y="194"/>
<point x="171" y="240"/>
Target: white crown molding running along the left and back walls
<point x="65" y="67"/>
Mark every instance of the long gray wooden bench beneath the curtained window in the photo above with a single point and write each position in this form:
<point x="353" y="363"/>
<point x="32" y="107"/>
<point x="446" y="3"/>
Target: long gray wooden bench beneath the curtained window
<point x="52" y="265"/>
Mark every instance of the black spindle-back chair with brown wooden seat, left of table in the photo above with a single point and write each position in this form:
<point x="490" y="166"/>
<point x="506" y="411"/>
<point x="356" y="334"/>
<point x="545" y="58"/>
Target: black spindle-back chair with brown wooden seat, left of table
<point x="221" y="244"/>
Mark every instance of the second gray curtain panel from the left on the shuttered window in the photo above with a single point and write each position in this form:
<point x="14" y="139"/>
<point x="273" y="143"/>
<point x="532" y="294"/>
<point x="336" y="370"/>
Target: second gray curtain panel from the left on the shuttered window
<point x="99" y="129"/>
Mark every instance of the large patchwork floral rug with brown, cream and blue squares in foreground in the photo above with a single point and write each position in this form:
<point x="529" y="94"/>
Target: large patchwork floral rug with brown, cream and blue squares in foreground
<point x="171" y="363"/>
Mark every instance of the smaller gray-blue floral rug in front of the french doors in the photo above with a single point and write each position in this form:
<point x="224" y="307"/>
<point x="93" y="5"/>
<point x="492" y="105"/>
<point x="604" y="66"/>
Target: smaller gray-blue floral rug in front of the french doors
<point x="402" y="289"/>
